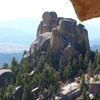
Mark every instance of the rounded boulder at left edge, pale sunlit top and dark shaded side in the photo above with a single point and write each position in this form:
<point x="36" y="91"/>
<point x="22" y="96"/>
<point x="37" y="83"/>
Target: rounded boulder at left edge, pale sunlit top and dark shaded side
<point x="5" y="77"/>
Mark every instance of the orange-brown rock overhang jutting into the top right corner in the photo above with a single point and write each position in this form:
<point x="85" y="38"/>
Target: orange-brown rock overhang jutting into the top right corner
<point x="86" y="9"/>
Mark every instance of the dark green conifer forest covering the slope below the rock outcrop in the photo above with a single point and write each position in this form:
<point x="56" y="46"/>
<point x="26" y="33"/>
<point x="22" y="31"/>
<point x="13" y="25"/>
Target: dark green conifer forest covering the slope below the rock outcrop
<point x="49" y="69"/>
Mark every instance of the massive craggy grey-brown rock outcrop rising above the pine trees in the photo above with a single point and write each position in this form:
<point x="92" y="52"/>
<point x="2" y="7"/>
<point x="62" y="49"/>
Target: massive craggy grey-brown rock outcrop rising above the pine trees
<point x="62" y="34"/>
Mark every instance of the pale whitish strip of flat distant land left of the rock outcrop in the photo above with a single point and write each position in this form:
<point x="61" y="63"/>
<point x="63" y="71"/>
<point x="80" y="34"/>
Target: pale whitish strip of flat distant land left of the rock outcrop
<point x="12" y="47"/>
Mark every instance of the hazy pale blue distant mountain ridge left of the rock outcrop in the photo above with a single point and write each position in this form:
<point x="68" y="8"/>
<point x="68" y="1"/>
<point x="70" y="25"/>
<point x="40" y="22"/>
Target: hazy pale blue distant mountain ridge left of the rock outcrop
<point x="19" y="30"/>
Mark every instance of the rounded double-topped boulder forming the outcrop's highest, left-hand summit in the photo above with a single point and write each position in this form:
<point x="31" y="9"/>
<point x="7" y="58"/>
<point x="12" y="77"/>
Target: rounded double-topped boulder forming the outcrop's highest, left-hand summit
<point x="48" y="23"/>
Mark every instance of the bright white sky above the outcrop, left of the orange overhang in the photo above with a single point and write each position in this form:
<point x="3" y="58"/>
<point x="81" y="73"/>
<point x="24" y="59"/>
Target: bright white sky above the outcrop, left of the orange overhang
<point x="11" y="9"/>
